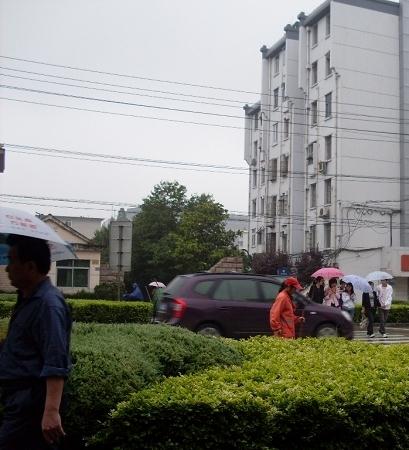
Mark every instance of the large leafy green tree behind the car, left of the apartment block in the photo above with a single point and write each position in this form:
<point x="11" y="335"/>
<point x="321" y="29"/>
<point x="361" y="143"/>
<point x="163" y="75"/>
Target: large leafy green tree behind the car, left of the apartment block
<point x="174" y="235"/>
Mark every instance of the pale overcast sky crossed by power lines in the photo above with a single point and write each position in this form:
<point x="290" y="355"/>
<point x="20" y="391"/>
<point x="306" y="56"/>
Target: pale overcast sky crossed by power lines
<point x="181" y="42"/>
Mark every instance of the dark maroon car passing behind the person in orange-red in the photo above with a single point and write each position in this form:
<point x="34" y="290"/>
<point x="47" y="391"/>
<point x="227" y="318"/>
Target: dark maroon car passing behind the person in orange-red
<point x="237" y="305"/>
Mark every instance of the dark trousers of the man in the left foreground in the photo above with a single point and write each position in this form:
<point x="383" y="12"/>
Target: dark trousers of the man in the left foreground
<point x="21" y="422"/>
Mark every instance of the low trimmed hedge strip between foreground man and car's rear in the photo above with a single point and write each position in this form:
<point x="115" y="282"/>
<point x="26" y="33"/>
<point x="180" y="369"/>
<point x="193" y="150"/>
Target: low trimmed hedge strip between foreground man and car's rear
<point x="109" y="311"/>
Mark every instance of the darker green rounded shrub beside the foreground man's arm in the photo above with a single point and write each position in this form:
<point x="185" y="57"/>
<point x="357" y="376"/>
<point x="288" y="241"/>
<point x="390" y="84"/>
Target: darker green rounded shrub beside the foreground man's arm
<point x="111" y="361"/>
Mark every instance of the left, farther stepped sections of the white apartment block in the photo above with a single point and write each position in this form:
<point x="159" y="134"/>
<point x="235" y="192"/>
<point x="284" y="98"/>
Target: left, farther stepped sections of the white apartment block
<point x="274" y="151"/>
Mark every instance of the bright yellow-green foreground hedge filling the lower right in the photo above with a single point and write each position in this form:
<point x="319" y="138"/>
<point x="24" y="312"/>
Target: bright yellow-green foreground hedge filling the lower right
<point x="301" y="394"/>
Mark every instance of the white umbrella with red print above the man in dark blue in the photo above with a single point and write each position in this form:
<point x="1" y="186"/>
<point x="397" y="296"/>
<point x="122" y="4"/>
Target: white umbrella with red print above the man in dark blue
<point x="14" y="221"/>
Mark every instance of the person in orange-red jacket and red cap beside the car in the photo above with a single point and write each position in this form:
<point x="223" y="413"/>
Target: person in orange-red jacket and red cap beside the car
<point x="282" y="314"/>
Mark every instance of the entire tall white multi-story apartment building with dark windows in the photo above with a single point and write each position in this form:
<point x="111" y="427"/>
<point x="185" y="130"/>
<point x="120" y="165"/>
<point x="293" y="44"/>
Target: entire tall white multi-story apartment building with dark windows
<point x="343" y="126"/>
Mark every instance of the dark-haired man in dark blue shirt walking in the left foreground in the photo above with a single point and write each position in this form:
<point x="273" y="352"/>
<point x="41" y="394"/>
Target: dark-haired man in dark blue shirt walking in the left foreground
<point x="34" y="360"/>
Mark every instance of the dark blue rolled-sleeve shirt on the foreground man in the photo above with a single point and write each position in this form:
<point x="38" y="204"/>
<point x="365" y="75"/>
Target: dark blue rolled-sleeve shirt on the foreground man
<point x="38" y="340"/>
